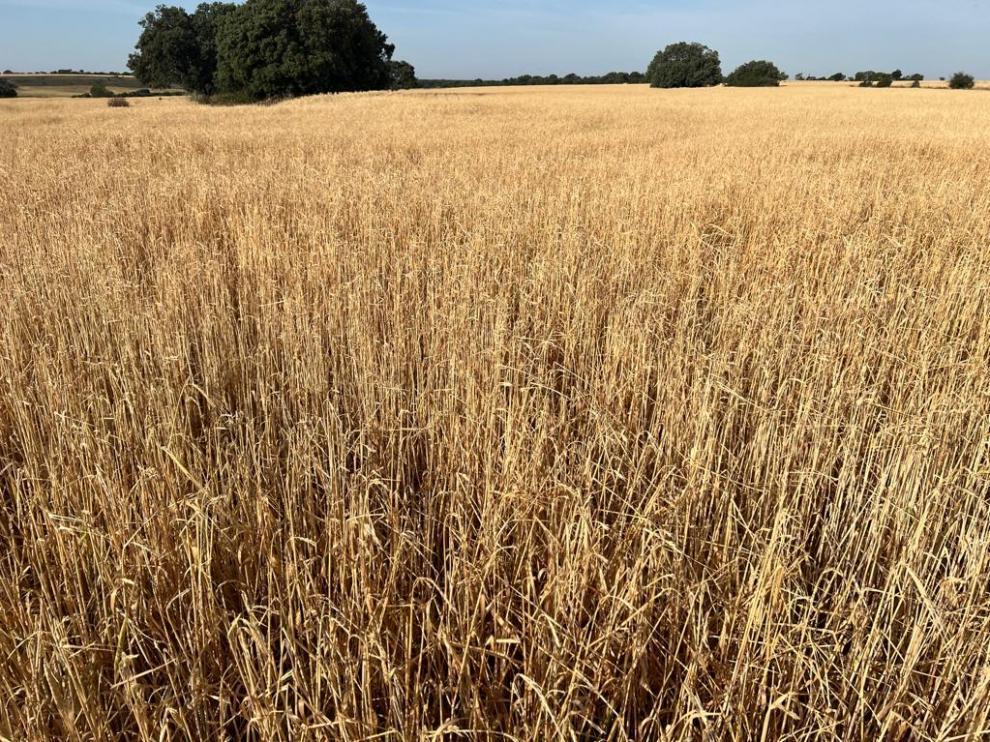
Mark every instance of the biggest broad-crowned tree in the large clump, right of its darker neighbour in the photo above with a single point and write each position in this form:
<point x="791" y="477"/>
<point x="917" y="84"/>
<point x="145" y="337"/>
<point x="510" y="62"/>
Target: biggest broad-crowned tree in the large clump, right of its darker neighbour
<point x="279" y="48"/>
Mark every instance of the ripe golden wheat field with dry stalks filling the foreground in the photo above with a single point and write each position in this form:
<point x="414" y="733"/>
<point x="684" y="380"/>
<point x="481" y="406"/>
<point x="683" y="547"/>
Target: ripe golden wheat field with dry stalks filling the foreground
<point x="573" y="413"/>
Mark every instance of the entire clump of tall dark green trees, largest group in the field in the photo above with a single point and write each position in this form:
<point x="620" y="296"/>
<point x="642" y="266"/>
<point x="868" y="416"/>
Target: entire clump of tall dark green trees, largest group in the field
<point x="267" y="49"/>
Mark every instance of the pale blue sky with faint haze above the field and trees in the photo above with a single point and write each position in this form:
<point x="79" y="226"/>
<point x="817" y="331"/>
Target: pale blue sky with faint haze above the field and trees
<point x="468" y="38"/>
